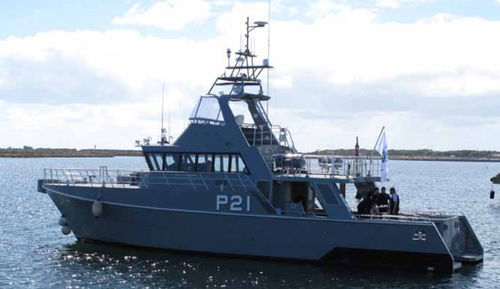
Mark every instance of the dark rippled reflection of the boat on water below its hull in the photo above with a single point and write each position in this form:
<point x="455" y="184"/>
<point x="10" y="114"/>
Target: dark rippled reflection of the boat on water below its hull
<point x="111" y="266"/>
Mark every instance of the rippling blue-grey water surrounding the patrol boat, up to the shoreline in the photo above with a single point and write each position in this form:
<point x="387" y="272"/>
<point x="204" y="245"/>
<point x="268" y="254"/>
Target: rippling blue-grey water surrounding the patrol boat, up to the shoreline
<point x="34" y="254"/>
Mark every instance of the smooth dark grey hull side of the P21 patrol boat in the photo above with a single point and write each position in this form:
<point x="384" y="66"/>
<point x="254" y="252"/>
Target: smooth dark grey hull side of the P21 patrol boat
<point x="276" y="237"/>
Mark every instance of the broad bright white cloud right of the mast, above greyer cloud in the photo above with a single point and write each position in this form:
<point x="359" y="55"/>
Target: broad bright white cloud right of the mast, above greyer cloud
<point x="365" y="51"/>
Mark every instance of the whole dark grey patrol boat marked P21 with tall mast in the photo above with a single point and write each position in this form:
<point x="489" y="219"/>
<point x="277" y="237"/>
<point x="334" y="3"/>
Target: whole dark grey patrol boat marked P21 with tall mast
<point x="231" y="188"/>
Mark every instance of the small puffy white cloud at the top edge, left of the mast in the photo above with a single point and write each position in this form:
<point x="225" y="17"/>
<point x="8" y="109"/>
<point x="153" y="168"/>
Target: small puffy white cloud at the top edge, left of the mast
<point x="168" y="15"/>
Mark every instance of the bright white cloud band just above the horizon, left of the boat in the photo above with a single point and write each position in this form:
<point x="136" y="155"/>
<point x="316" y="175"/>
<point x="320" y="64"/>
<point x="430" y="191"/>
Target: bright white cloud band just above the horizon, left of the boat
<point x="83" y="125"/>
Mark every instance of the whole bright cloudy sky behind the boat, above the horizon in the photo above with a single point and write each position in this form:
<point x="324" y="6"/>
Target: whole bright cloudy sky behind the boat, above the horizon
<point x="79" y="74"/>
